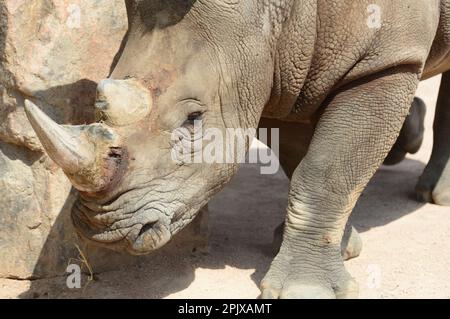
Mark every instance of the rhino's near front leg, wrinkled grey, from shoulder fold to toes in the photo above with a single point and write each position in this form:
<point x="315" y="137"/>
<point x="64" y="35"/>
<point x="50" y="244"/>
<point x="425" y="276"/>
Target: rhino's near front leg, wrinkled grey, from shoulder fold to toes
<point x="354" y="135"/>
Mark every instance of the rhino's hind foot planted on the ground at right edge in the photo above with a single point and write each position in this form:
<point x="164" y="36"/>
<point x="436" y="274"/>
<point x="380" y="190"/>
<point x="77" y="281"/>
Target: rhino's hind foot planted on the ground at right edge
<point x="434" y="185"/>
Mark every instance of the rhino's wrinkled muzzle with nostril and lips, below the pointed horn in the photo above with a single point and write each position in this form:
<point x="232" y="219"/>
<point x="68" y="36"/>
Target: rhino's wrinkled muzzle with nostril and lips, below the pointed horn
<point x="137" y="233"/>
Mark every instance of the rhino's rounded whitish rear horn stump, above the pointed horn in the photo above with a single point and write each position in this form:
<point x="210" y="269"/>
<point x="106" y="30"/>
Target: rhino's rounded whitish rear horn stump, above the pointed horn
<point x="122" y="102"/>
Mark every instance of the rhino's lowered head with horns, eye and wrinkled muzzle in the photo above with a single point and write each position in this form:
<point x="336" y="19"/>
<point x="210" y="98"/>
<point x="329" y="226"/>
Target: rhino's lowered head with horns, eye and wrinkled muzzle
<point x="184" y="61"/>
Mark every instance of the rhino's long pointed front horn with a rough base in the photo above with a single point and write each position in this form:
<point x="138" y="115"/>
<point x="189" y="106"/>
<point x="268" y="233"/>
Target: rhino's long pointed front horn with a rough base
<point x="81" y="151"/>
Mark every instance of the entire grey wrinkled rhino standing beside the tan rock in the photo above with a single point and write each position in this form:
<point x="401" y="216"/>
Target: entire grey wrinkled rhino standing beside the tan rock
<point x="338" y="90"/>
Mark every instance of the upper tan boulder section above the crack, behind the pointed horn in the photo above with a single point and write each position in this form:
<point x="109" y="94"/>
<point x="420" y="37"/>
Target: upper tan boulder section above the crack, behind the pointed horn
<point x="54" y="51"/>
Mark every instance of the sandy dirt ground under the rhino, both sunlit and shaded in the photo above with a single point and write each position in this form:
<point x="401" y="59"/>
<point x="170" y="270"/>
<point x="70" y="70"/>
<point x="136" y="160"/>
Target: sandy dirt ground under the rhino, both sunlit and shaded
<point x="406" y="251"/>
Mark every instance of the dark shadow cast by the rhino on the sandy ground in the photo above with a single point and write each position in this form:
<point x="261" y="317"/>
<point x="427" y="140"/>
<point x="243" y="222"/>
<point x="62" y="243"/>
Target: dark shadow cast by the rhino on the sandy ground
<point x="242" y="219"/>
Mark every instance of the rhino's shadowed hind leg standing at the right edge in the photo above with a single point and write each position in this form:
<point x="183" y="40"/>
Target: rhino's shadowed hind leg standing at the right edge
<point x="434" y="184"/>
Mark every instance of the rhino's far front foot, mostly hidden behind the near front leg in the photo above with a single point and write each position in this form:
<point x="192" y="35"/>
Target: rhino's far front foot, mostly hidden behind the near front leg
<point x="351" y="245"/>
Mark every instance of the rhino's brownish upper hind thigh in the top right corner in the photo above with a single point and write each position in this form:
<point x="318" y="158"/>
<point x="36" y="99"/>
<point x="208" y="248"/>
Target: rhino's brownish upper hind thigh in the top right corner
<point x="439" y="60"/>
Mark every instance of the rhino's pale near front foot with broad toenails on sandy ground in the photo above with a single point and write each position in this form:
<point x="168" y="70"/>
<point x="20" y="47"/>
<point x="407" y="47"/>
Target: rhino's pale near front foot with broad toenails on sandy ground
<point x="304" y="275"/>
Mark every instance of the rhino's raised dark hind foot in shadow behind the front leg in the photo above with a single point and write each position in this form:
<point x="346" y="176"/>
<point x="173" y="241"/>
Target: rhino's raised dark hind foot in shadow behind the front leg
<point x="411" y="135"/>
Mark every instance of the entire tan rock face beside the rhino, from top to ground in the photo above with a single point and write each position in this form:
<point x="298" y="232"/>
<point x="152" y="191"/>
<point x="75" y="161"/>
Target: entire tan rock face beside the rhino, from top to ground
<point x="54" y="52"/>
